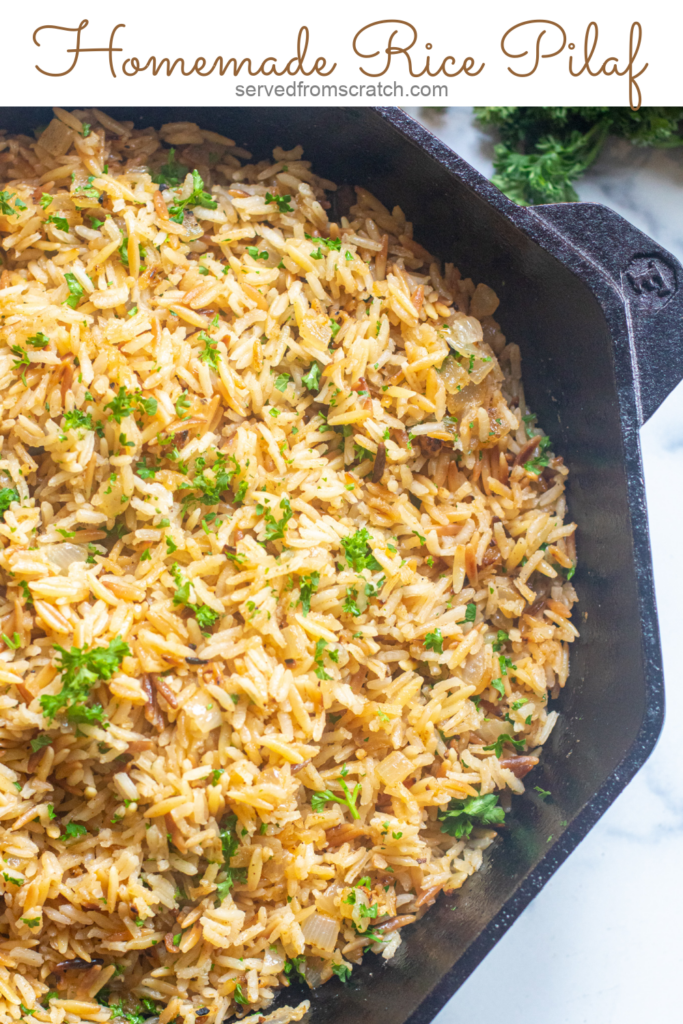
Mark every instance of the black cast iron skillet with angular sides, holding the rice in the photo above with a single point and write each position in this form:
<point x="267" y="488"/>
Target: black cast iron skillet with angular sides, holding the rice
<point x="596" y="308"/>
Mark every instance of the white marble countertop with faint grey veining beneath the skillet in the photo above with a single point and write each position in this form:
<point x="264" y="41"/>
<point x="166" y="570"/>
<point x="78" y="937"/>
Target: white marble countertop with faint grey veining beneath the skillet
<point x="602" y="945"/>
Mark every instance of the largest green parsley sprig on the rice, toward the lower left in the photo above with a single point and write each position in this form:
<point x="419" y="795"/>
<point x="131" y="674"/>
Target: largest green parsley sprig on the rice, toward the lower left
<point x="81" y="669"/>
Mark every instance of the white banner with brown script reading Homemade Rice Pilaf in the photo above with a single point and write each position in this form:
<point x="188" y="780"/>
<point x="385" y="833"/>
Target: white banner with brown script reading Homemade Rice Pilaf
<point x="346" y="55"/>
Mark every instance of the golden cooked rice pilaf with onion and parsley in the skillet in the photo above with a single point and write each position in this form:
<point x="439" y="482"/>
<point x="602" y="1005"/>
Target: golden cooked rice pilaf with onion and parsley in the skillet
<point x="285" y="576"/>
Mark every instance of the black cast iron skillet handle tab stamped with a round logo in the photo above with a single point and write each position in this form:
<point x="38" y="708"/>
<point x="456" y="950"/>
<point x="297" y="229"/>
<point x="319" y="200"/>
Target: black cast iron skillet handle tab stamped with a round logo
<point x="629" y="269"/>
